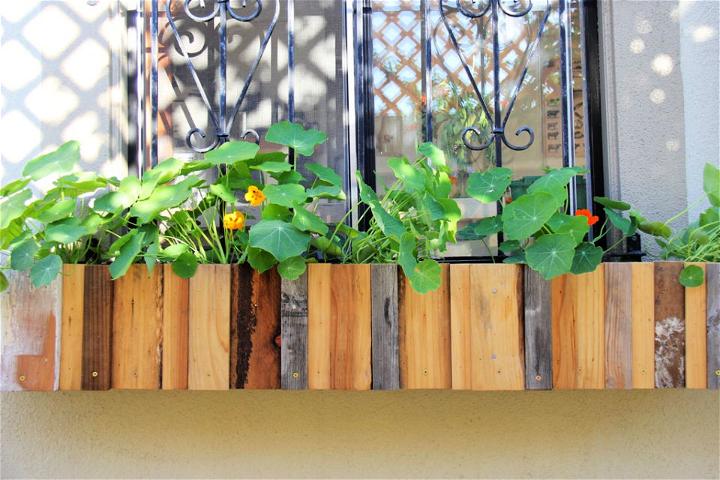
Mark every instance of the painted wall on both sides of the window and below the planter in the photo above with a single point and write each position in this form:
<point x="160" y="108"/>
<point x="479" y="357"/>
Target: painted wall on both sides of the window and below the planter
<point x="654" y="107"/>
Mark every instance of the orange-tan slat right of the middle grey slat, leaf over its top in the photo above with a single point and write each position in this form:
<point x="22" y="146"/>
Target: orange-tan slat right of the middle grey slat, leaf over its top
<point x="425" y="352"/>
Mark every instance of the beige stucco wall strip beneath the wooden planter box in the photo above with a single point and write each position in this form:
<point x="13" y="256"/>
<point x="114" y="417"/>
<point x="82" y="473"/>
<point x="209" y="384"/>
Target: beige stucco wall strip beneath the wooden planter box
<point x="571" y="434"/>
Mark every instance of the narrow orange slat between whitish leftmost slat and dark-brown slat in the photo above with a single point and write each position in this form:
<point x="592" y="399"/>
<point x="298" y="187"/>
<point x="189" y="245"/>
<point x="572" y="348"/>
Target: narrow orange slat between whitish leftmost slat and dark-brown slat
<point x="71" y="343"/>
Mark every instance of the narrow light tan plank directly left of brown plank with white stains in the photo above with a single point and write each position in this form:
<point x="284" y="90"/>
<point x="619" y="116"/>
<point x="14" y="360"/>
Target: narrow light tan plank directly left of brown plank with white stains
<point x="643" y="325"/>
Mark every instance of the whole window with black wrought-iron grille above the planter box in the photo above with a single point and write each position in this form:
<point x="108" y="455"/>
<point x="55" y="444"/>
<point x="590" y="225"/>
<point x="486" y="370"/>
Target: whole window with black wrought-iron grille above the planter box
<point x="380" y="76"/>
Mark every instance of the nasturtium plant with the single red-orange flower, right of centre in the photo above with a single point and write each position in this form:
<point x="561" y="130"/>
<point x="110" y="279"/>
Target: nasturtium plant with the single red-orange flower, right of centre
<point x="537" y="227"/>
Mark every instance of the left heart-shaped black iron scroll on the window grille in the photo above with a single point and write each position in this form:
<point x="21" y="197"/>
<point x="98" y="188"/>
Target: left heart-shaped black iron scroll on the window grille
<point x="221" y="120"/>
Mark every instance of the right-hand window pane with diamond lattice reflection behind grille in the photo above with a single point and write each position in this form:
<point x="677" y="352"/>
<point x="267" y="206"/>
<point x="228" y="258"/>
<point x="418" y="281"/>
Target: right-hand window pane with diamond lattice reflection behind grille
<point x="398" y="74"/>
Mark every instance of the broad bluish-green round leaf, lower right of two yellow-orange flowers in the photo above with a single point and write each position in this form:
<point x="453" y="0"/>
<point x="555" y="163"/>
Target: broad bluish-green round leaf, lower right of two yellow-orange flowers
<point x="279" y="238"/>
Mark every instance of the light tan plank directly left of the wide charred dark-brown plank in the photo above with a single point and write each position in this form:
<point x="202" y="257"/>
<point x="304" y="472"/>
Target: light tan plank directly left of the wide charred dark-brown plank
<point x="209" y="328"/>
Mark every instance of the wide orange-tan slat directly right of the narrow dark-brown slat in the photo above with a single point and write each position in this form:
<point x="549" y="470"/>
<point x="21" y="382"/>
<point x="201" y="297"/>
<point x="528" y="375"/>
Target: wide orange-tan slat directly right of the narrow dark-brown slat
<point x="137" y="329"/>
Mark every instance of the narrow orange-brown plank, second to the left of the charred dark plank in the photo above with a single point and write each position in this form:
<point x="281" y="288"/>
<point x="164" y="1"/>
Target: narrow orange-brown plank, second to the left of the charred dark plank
<point x="175" y="325"/>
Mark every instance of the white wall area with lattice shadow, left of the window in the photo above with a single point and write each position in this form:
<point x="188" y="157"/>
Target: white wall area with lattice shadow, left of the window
<point x="56" y="82"/>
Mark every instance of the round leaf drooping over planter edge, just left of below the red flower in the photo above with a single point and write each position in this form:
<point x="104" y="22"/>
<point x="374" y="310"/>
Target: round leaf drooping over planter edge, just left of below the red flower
<point x="551" y="255"/>
